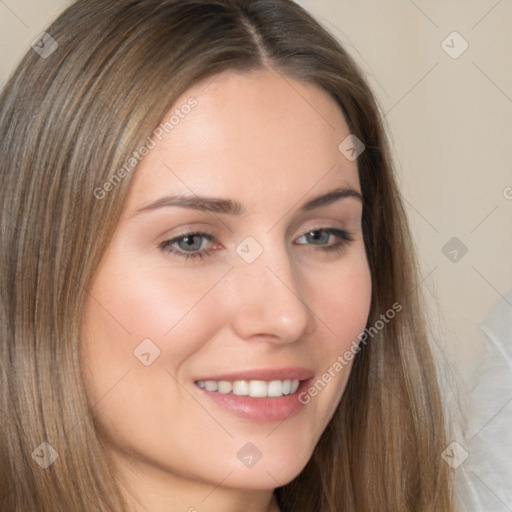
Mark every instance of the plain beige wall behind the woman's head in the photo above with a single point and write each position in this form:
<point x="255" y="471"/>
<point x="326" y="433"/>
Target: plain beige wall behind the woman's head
<point x="449" y="120"/>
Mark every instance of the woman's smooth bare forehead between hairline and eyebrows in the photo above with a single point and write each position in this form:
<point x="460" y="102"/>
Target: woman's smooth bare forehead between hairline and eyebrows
<point x="252" y="135"/>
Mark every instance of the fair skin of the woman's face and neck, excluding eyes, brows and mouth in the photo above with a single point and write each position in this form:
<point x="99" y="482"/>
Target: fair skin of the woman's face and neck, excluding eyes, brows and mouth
<point x="271" y="144"/>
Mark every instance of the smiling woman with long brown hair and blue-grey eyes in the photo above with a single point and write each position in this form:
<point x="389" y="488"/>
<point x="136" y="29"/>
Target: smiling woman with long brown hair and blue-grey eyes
<point x="209" y="293"/>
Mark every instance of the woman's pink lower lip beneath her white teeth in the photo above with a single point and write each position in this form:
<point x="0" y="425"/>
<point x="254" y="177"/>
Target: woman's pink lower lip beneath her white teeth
<point x="262" y="409"/>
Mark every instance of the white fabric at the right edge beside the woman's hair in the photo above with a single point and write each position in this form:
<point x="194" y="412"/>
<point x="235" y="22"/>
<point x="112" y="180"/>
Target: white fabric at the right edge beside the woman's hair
<point x="485" y="478"/>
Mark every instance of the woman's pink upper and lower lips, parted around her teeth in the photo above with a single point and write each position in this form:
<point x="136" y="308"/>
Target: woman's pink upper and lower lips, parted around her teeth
<point x="260" y="409"/>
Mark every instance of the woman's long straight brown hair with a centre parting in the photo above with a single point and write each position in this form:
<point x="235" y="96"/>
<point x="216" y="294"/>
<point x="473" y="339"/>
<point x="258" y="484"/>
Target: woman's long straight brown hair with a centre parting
<point x="69" y="120"/>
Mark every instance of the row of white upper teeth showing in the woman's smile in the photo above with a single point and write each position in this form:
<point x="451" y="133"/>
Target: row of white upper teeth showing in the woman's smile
<point x="254" y="388"/>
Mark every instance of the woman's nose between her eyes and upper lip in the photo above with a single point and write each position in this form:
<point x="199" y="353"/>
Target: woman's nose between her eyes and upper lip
<point x="269" y="299"/>
